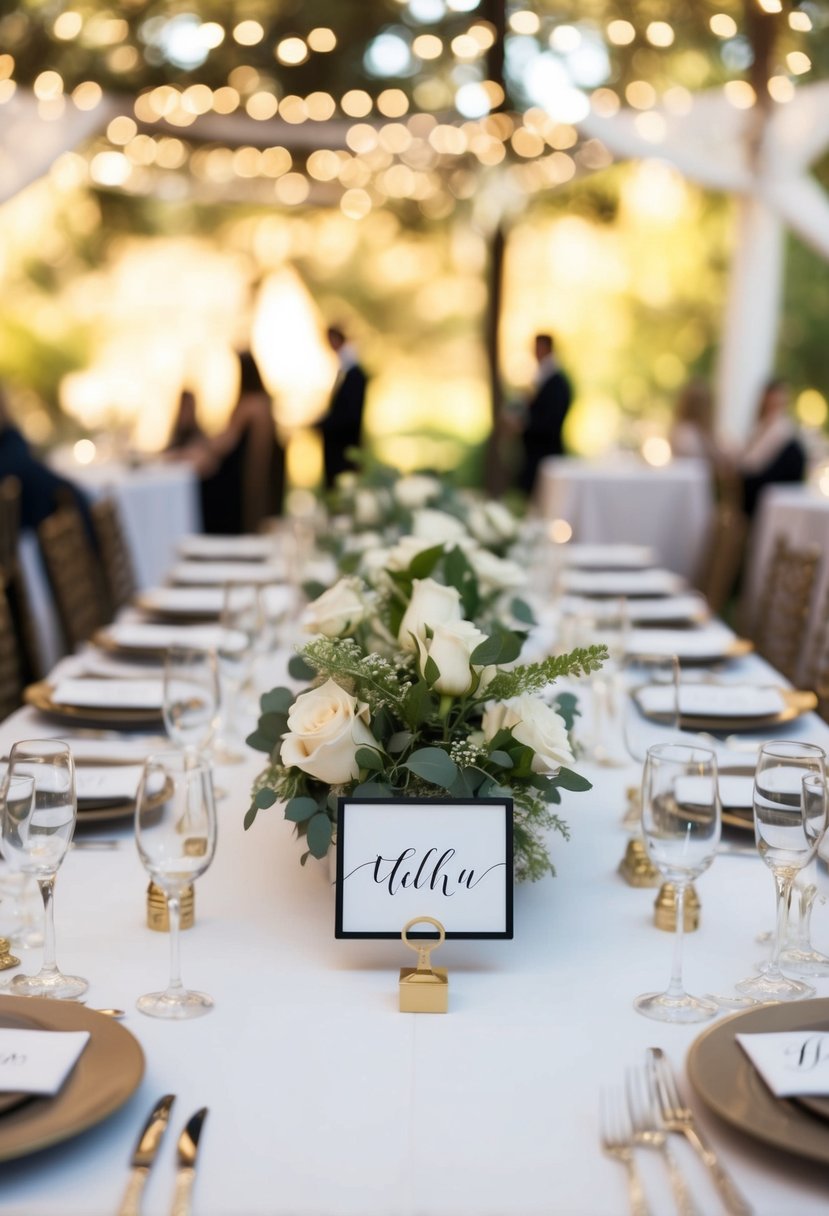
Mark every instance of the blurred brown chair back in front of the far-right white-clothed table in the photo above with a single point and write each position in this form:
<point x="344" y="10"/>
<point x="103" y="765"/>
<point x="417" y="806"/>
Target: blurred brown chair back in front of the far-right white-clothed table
<point x="786" y="606"/>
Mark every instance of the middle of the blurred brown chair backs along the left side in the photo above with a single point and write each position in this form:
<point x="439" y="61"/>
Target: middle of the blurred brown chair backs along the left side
<point x="75" y="575"/>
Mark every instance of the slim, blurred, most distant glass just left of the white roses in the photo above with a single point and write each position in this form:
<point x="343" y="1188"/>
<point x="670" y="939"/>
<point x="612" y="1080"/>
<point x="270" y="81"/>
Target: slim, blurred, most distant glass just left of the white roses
<point x="241" y="626"/>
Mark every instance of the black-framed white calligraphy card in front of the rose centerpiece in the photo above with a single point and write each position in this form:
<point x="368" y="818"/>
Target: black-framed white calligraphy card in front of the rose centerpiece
<point x="449" y="859"/>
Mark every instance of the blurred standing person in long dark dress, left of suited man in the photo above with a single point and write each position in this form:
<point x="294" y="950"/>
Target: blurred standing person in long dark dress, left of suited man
<point x="243" y="470"/>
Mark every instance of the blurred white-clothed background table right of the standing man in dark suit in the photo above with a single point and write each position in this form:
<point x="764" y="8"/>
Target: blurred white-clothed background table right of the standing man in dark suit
<point x="624" y="500"/>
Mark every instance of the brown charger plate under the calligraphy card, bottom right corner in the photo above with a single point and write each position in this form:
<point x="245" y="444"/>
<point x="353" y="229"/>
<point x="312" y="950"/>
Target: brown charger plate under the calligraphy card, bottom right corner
<point x="729" y="1084"/>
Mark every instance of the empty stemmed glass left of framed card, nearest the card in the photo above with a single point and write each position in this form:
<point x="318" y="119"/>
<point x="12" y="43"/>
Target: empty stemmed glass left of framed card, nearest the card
<point x="176" y="834"/>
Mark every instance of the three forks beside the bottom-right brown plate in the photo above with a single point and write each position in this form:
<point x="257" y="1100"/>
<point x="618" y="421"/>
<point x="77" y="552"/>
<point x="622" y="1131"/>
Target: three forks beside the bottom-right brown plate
<point x="646" y="1113"/>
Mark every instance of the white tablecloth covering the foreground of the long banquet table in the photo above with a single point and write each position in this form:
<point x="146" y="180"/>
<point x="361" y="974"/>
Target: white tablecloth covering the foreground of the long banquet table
<point x="325" y="1101"/>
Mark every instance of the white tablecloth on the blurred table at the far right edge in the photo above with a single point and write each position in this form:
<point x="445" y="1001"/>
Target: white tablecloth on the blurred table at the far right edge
<point x="800" y="514"/>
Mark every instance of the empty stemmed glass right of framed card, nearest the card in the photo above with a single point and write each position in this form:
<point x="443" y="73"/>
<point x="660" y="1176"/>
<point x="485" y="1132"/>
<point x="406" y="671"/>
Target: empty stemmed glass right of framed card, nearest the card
<point x="681" y="823"/>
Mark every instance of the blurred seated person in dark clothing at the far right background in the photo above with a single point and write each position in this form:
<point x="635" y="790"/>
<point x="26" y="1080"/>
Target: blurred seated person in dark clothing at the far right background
<point x="775" y="451"/>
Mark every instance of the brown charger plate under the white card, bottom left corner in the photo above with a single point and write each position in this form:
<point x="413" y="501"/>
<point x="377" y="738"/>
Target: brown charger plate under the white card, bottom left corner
<point x="106" y="1076"/>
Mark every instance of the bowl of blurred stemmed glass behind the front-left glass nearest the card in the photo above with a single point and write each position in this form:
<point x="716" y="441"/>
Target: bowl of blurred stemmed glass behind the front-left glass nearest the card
<point x="191" y="696"/>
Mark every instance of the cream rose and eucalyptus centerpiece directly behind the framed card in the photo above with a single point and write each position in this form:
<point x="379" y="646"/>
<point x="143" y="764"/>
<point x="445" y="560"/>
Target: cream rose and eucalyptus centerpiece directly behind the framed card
<point x="418" y="693"/>
